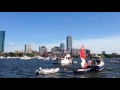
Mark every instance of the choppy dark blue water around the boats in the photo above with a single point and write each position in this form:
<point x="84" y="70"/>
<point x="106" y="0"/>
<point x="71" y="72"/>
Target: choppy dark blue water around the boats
<point x="16" y="68"/>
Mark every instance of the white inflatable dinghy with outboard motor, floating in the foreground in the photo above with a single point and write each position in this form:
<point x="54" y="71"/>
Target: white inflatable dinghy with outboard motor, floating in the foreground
<point x="47" y="71"/>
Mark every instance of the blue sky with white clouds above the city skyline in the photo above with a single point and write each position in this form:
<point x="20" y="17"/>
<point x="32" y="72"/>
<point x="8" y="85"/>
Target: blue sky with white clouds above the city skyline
<point x="98" y="31"/>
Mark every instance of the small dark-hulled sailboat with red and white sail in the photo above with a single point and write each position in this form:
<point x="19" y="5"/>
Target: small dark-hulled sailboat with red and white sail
<point x="83" y="63"/>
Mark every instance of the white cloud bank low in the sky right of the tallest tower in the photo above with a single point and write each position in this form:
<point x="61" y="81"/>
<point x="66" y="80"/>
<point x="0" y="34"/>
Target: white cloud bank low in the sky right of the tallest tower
<point x="109" y="44"/>
